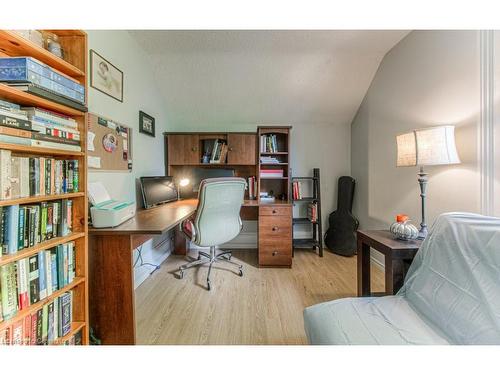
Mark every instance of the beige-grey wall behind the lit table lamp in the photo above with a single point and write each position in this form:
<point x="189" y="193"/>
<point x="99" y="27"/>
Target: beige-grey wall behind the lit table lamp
<point x="430" y="78"/>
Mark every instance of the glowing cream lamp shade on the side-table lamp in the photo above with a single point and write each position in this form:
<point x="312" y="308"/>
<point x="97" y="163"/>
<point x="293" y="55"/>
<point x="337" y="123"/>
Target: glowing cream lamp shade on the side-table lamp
<point x="428" y="146"/>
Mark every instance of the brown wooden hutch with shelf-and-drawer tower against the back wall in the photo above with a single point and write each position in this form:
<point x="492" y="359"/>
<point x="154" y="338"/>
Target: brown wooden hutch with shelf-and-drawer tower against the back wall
<point x="184" y="152"/>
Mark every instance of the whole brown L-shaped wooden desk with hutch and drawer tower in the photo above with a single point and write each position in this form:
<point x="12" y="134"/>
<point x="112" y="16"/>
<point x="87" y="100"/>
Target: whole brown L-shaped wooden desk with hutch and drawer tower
<point x="112" y="310"/>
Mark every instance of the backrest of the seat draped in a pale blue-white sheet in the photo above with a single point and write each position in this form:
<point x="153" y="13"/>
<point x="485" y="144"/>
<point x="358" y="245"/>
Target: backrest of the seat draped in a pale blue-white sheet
<point x="454" y="281"/>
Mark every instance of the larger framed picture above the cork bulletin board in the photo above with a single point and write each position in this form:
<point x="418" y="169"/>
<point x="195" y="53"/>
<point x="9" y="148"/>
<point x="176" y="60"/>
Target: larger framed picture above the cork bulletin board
<point x="105" y="77"/>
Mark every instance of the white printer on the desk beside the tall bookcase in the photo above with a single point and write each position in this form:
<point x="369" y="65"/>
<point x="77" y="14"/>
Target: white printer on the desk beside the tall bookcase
<point x="106" y="212"/>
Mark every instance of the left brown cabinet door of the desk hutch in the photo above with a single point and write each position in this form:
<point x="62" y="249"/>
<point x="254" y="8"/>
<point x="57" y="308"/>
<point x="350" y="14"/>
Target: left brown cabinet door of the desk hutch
<point x="183" y="149"/>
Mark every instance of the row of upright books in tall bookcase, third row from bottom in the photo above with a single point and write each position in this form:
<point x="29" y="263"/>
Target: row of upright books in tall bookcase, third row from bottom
<point x="27" y="225"/>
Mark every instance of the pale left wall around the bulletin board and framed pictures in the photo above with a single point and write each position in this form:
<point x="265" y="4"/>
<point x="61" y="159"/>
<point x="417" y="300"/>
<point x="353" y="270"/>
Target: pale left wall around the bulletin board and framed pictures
<point x="140" y="93"/>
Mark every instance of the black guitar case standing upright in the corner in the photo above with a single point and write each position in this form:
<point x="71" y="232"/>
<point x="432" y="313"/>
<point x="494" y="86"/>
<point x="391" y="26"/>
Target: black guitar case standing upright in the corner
<point x="341" y="234"/>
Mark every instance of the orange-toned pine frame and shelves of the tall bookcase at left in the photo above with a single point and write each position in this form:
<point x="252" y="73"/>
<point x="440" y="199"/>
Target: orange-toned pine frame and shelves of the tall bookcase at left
<point x="74" y="42"/>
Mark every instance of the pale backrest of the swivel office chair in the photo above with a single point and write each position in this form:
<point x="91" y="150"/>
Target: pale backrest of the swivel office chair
<point x="218" y="215"/>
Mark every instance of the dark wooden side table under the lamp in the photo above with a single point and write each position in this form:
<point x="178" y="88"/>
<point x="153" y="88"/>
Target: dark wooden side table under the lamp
<point x="398" y="255"/>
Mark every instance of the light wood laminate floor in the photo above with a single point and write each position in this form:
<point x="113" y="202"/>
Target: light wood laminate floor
<point x="263" y="307"/>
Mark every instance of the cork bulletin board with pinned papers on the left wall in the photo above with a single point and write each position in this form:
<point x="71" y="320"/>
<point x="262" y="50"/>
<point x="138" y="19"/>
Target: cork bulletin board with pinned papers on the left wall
<point x="108" y="145"/>
